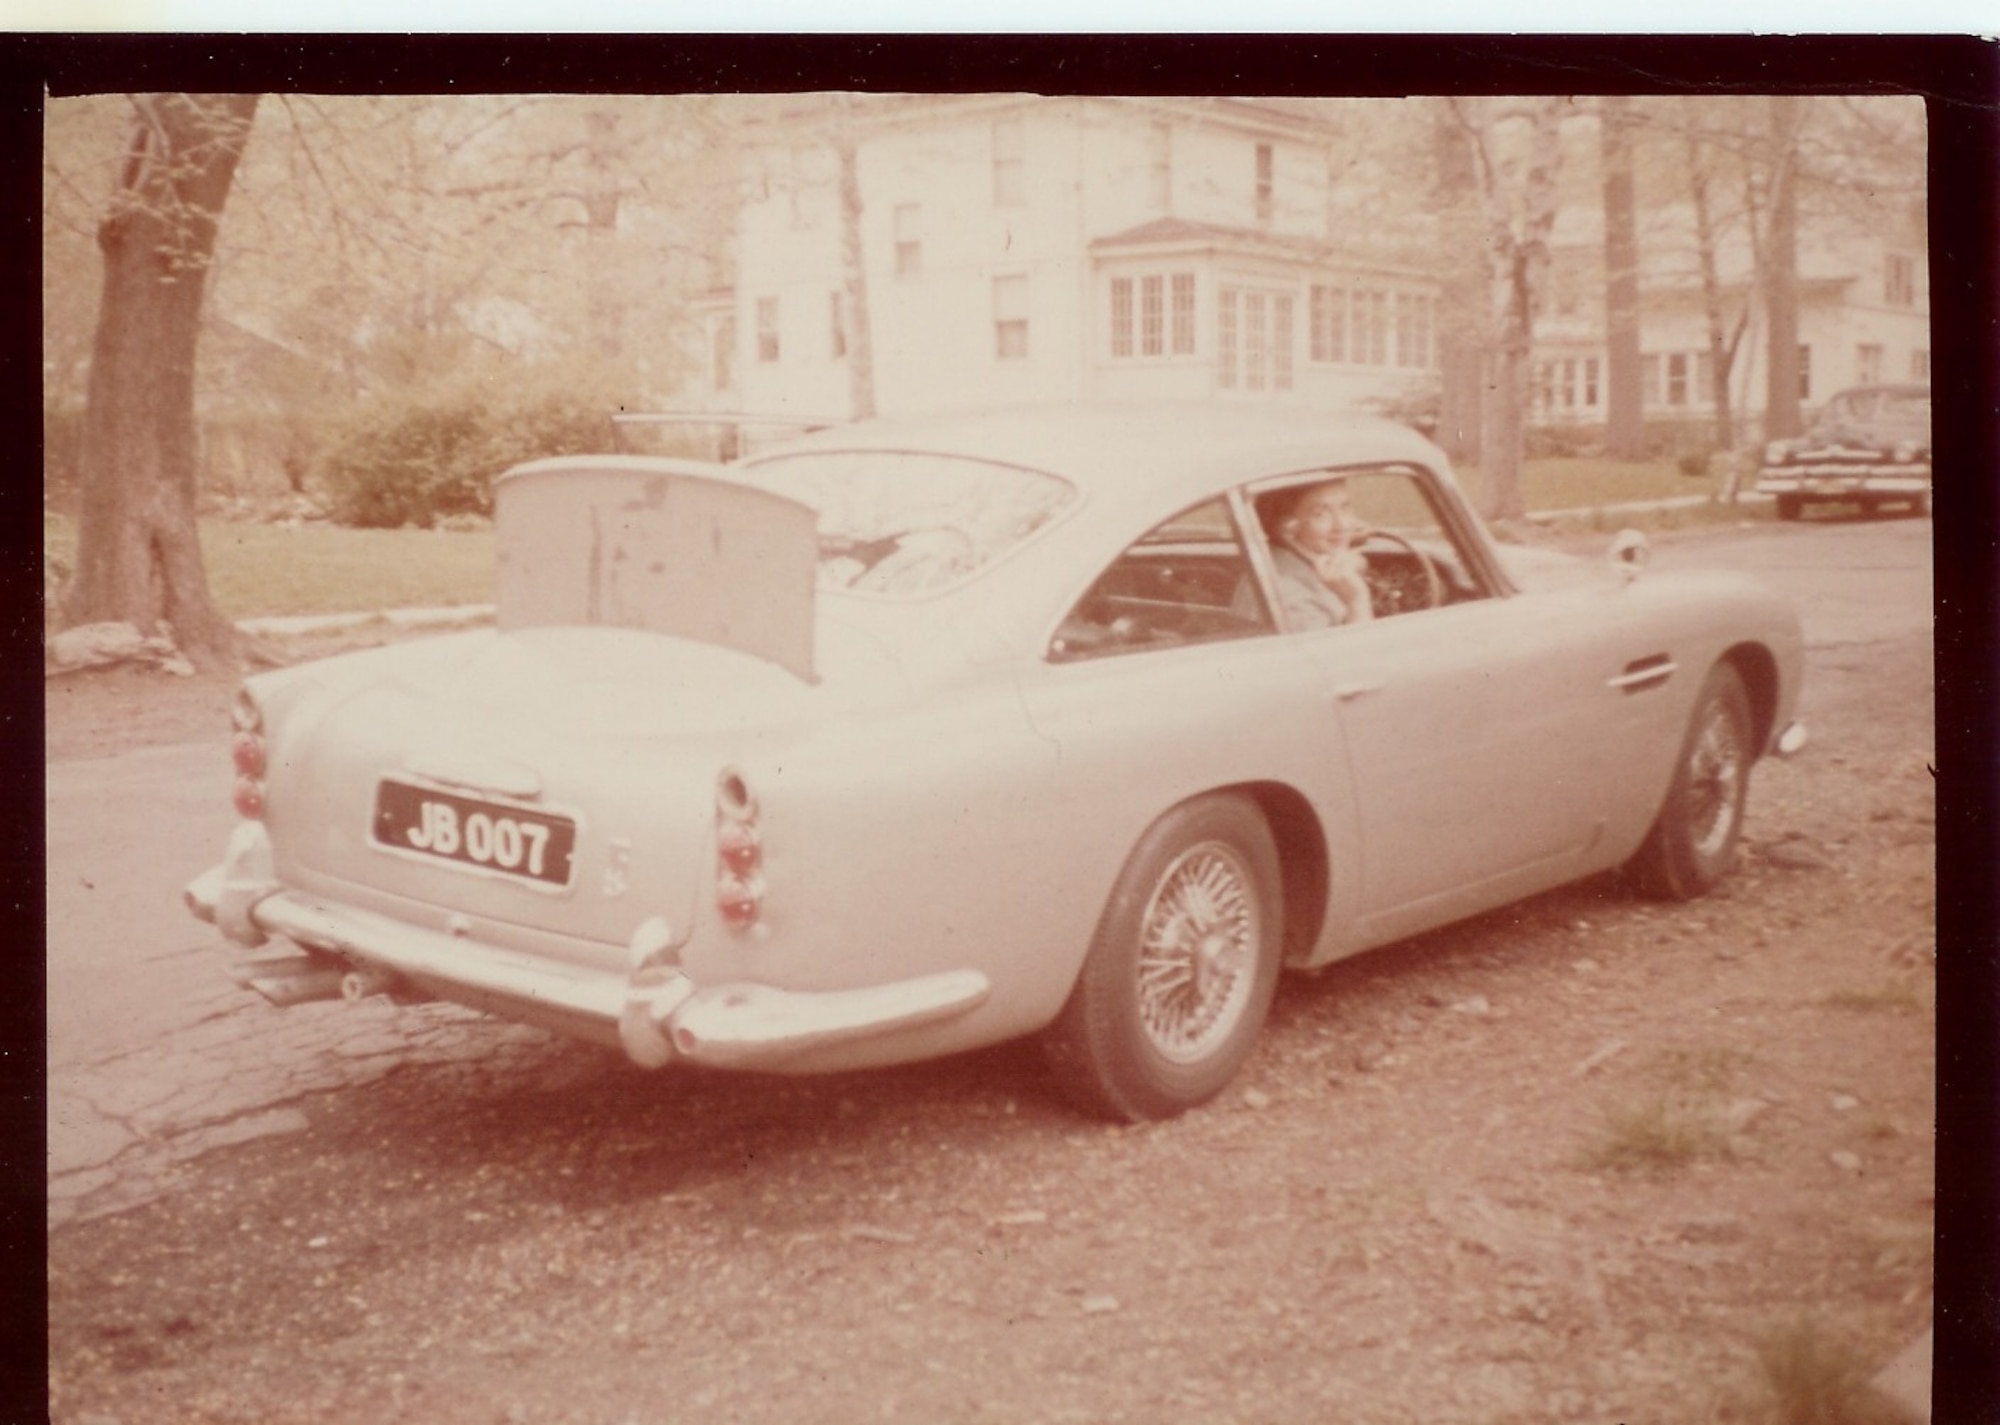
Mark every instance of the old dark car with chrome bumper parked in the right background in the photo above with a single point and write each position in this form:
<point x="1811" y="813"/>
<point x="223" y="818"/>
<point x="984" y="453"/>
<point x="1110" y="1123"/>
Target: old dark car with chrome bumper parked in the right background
<point x="1871" y="447"/>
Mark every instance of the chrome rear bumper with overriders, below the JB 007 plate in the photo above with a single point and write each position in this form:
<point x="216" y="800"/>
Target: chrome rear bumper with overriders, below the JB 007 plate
<point x="657" y="1010"/>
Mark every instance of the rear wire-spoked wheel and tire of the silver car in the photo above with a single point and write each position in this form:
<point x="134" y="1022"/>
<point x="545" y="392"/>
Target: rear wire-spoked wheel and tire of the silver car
<point x="1181" y="970"/>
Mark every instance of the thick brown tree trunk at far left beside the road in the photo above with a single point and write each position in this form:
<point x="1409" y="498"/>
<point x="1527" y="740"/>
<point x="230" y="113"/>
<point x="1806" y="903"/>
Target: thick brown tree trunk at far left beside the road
<point x="139" y="555"/>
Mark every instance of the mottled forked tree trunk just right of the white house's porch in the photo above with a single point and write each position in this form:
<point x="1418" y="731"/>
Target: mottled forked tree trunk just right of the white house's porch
<point x="1517" y="157"/>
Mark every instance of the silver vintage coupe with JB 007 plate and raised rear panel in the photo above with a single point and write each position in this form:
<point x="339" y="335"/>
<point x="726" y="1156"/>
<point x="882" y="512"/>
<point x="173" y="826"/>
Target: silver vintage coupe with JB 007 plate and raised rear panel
<point x="923" y="736"/>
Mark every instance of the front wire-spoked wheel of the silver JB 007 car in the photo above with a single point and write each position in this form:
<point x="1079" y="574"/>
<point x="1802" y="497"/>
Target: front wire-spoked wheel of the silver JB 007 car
<point x="1693" y="842"/>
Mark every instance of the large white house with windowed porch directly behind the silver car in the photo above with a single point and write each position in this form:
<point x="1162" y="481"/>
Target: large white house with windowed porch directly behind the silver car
<point x="1061" y="249"/>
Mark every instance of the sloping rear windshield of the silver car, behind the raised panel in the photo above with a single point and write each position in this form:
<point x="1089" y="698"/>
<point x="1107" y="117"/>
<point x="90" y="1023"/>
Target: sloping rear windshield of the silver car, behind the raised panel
<point x="907" y="523"/>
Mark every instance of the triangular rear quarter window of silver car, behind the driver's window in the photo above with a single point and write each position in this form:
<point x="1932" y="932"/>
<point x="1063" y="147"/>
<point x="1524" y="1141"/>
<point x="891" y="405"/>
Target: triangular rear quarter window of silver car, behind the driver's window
<point x="1185" y="581"/>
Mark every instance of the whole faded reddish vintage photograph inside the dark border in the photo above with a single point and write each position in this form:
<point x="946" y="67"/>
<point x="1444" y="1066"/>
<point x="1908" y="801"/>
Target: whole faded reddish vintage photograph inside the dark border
<point x="887" y="756"/>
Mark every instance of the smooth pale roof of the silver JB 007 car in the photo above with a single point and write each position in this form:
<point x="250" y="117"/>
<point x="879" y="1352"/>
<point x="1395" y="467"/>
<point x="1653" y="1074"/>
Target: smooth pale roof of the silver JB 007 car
<point x="1155" y="453"/>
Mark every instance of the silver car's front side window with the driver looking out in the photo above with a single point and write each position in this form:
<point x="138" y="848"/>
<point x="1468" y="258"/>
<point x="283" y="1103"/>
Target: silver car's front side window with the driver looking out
<point x="1387" y="517"/>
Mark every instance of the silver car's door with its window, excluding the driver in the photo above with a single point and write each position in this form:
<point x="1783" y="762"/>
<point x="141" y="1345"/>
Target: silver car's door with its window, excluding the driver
<point x="1467" y="722"/>
